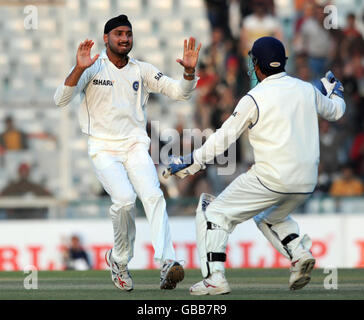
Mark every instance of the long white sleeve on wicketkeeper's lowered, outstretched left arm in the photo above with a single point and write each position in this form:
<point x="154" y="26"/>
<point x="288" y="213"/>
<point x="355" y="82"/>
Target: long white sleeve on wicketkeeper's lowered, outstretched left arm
<point x="245" y="115"/>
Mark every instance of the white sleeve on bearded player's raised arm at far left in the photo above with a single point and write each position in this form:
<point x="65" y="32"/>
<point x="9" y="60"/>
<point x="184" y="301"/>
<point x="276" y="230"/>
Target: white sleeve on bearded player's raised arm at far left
<point x="65" y="94"/>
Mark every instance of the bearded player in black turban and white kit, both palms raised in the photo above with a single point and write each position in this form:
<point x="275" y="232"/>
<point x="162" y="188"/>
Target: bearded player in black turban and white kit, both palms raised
<point x="114" y="90"/>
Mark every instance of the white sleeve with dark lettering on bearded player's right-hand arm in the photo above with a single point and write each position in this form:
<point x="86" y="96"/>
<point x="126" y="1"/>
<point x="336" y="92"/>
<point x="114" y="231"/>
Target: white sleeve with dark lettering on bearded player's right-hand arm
<point x="156" y="81"/>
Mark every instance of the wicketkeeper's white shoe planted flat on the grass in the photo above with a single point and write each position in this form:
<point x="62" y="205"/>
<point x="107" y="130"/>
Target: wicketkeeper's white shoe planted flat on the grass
<point x="213" y="285"/>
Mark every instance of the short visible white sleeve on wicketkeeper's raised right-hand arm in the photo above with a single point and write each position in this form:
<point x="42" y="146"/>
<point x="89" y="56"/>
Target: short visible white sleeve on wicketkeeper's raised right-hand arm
<point x="331" y="109"/>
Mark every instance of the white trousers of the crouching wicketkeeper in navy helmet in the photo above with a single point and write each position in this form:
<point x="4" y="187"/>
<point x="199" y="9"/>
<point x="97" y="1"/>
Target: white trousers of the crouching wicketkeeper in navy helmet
<point x="246" y="197"/>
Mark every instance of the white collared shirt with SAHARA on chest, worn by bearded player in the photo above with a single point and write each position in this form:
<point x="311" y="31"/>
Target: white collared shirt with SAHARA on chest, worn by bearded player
<point x="113" y="100"/>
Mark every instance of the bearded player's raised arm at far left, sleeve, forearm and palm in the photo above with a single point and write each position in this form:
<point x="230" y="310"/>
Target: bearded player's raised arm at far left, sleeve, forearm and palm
<point x="78" y="78"/>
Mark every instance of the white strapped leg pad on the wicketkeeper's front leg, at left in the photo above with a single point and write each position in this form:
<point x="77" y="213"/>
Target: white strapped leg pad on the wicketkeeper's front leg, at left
<point x="210" y="242"/>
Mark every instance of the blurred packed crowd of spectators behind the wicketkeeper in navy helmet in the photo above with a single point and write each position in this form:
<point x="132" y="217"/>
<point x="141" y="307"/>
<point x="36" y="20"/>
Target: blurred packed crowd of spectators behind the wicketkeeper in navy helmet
<point x="312" y="50"/>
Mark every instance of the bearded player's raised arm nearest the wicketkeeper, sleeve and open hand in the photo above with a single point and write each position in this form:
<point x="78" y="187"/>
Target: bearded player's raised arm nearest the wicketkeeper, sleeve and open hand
<point x="156" y="81"/>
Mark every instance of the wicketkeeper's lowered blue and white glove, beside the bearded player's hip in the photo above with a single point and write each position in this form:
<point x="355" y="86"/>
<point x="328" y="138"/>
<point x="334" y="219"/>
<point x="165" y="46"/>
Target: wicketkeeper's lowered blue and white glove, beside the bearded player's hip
<point x="182" y="166"/>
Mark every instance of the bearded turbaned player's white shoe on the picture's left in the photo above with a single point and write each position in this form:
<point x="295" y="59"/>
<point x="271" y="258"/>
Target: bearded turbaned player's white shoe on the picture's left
<point x="120" y="275"/>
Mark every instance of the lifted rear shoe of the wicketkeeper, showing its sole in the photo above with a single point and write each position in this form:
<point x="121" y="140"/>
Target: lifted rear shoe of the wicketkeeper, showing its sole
<point x="301" y="271"/>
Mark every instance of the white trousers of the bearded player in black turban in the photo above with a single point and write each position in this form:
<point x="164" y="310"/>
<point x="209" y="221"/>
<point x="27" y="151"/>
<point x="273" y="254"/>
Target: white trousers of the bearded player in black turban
<point x="124" y="176"/>
